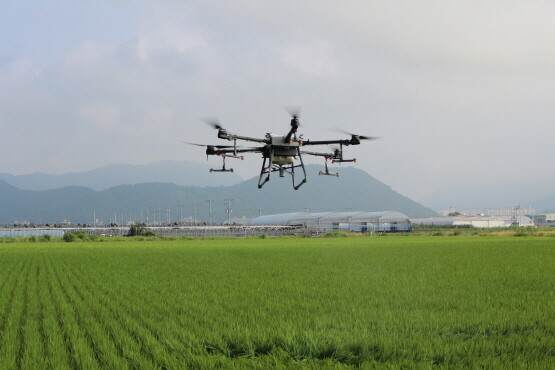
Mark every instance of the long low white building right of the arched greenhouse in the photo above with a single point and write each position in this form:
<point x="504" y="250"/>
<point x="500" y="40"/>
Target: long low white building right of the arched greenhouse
<point x="475" y="220"/>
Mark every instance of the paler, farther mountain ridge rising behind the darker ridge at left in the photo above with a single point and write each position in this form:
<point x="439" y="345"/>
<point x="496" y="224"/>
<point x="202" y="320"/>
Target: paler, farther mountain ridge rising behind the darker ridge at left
<point x="176" y="172"/>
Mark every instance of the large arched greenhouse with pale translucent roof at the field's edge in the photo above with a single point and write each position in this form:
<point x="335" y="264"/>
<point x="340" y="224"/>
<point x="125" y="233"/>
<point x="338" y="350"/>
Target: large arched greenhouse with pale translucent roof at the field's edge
<point x="351" y="221"/>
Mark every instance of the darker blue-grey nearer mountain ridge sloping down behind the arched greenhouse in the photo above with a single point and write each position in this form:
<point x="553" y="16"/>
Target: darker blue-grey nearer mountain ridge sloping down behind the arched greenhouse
<point x="354" y="189"/>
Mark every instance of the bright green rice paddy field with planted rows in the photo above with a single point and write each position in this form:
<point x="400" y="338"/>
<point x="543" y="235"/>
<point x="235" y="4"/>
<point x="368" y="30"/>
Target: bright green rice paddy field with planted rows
<point x="279" y="303"/>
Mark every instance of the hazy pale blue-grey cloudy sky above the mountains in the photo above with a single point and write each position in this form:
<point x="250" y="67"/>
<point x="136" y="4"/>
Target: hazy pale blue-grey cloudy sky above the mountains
<point x="460" y="93"/>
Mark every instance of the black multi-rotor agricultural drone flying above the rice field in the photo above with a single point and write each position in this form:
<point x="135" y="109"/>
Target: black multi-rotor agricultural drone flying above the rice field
<point x="280" y="153"/>
